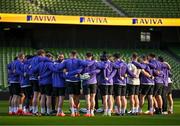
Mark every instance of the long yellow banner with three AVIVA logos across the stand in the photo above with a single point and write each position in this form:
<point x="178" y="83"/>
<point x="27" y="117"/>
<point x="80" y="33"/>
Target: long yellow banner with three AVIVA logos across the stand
<point x="89" y="20"/>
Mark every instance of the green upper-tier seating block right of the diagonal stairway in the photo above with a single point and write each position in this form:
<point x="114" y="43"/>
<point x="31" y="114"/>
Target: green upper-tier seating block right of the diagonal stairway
<point x="149" y="8"/>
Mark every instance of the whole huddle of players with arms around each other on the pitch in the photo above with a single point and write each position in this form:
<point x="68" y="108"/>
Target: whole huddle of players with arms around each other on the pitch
<point x="38" y="79"/>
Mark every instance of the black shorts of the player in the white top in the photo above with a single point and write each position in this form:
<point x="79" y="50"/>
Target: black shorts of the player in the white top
<point x="133" y="89"/>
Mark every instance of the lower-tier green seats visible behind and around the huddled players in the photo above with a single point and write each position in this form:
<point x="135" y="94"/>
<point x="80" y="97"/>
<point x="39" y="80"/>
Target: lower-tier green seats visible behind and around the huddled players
<point x="7" y="54"/>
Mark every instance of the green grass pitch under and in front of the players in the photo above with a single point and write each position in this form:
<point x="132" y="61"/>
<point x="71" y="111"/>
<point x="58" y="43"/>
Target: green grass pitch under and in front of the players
<point x="173" y="119"/>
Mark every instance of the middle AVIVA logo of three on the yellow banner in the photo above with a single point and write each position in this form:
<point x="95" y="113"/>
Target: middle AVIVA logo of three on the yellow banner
<point x="94" y="20"/>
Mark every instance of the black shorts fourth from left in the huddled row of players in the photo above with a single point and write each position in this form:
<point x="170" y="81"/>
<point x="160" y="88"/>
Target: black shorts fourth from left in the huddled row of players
<point x="46" y="89"/>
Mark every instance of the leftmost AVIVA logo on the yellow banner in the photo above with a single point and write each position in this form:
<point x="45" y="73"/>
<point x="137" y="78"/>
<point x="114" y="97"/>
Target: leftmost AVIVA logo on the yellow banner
<point x="41" y="18"/>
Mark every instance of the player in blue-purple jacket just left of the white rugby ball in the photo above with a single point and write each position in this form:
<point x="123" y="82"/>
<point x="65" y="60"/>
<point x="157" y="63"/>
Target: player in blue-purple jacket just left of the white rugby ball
<point x="73" y="81"/>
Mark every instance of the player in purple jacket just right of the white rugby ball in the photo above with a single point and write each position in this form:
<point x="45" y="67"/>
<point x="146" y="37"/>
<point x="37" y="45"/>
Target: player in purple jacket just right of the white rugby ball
<point x="90" y="84"/>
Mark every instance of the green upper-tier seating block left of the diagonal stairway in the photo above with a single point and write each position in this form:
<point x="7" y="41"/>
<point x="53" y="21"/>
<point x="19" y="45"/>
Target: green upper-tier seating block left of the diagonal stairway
<point x="59" y="7"/>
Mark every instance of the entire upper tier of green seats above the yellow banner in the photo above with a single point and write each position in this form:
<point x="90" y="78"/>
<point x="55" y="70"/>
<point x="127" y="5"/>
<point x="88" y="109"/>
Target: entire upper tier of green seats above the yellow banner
<point x="131" y="8"/>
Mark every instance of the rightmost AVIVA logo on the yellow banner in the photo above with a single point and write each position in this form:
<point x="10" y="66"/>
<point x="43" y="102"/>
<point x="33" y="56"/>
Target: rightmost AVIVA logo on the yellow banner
<point x="148" y="21"/>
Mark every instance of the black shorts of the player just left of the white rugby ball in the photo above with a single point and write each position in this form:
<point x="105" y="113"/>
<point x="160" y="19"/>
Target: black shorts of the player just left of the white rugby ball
<point x="74" y="88"/>
